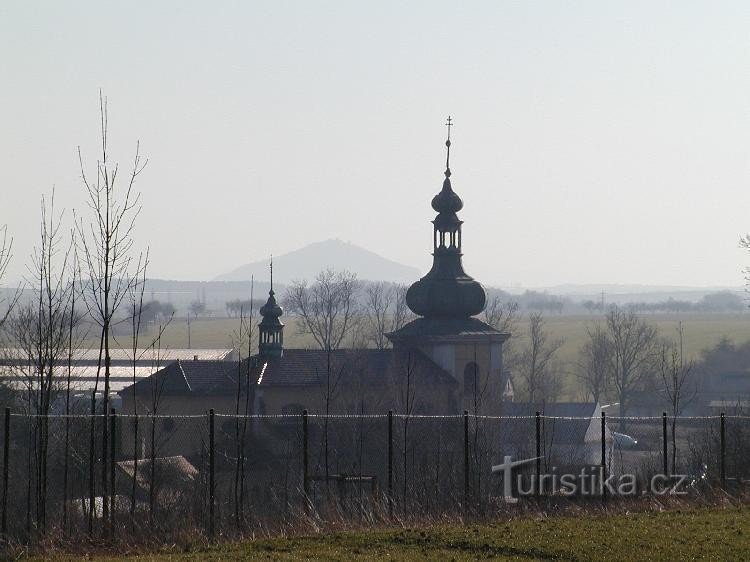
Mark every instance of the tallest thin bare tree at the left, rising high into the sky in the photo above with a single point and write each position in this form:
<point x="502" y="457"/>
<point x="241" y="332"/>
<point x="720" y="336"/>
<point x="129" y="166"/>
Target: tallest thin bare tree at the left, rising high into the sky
<point x="105" y="246"/>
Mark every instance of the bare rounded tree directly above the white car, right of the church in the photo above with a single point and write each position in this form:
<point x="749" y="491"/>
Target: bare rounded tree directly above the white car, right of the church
<point x="633" y="352"/>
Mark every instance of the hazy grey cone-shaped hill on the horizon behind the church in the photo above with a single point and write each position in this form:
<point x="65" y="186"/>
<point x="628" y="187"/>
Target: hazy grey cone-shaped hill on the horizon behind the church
<point x="308" y="261"/>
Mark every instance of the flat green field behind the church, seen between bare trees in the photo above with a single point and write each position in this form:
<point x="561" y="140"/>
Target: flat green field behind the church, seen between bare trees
<point x="701" y="331"/>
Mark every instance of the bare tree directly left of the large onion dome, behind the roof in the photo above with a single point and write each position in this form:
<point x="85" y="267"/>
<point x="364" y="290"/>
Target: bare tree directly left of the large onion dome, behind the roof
<point x="384" y="311"/>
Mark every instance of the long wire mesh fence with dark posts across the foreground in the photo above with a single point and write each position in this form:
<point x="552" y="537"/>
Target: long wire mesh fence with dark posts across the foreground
<point x="223" y="474"/>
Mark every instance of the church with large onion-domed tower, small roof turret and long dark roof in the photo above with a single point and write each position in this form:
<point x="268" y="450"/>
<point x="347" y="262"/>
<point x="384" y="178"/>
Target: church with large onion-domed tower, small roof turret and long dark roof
<point x="445" y="361"/>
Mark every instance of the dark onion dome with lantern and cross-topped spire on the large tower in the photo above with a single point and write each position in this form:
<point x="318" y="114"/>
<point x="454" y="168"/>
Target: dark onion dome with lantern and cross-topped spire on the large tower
<point x="447" y="291"/>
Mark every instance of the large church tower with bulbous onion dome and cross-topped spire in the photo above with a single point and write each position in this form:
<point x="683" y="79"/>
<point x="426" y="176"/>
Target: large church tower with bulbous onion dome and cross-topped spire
<point x="447" y="300"/>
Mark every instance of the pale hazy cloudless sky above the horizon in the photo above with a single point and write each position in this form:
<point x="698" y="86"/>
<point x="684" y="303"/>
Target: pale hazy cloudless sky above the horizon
<point x="595" y="142"/>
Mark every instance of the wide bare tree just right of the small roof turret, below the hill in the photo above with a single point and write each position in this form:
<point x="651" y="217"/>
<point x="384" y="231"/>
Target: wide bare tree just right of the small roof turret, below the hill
<point x="327" y="309"/>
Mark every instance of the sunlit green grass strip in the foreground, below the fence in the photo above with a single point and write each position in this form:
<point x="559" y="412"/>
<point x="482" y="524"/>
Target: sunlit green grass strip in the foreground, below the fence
<point x="694" y="534"/>
